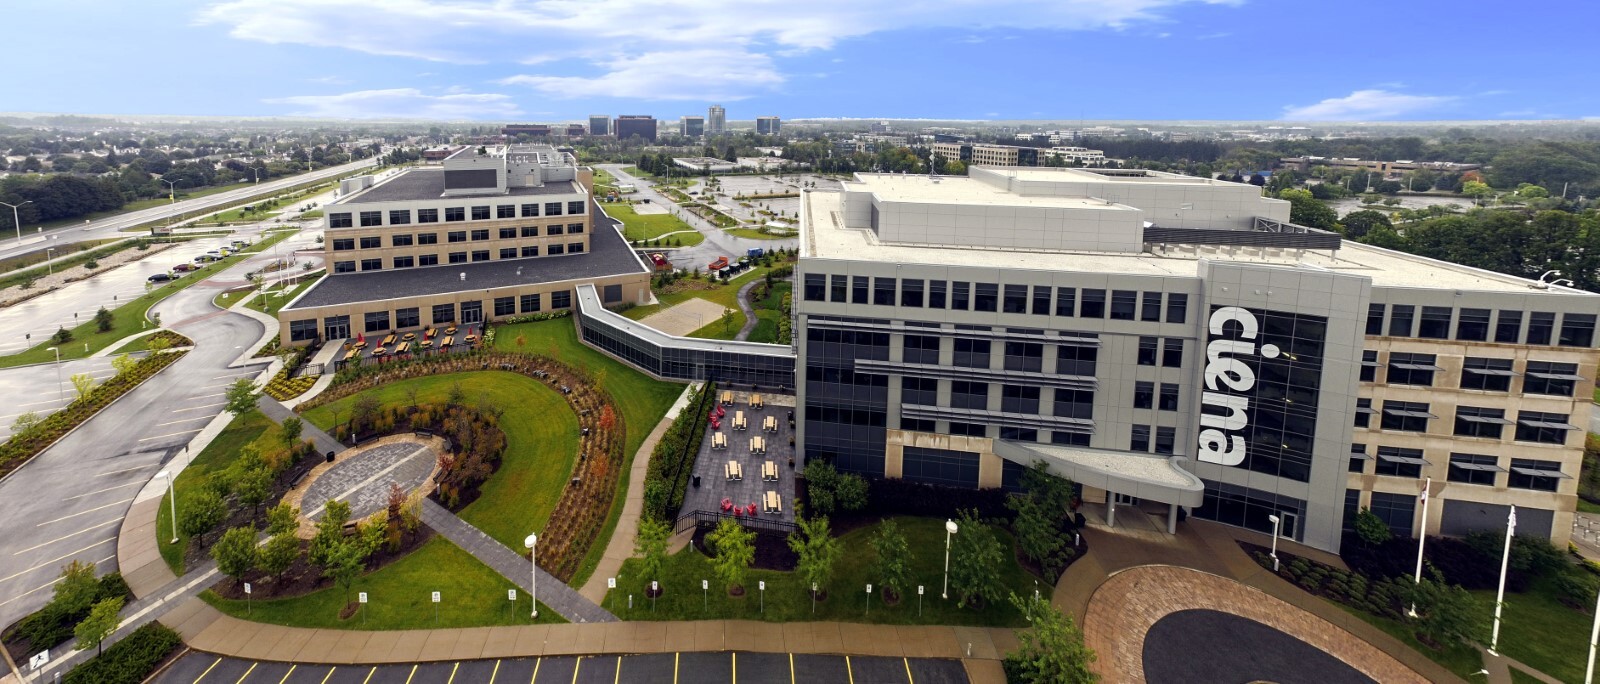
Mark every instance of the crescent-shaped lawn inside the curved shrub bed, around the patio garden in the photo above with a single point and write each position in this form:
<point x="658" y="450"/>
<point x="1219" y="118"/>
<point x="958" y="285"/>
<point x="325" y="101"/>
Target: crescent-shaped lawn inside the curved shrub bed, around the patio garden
<point x="542" y="445"/>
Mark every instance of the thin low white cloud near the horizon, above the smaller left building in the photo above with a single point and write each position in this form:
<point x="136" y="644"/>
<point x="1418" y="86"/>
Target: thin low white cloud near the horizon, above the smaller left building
<point x="402" y="103"/>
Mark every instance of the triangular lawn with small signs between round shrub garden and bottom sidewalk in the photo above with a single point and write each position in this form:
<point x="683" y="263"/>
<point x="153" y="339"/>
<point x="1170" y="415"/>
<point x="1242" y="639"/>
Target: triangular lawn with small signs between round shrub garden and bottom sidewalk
<point x="401" y="597"/>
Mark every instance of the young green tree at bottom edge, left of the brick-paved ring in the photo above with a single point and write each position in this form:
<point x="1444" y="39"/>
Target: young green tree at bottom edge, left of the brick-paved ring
<point x="1052" y="650"/>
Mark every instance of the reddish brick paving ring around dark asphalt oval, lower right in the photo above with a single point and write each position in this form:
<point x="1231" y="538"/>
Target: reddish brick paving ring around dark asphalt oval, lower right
<point x="1164" y="624"/>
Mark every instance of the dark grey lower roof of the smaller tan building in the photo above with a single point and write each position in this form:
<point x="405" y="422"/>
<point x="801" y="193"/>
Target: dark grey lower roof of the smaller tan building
<point x="609" y="255"/>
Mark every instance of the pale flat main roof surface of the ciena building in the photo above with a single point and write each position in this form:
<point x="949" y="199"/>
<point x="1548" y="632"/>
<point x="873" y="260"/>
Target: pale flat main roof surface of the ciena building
<point x="826" y="237"/>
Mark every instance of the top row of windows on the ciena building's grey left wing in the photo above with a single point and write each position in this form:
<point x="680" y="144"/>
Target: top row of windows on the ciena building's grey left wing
<point x="1039" y="300"/>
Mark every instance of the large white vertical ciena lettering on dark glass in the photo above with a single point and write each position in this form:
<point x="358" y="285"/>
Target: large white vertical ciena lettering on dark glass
<point x="1228" y="378"/>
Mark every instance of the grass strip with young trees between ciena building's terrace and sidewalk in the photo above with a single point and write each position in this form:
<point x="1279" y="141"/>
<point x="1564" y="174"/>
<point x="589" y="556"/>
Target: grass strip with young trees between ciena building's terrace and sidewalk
<point x="788" y="598"/>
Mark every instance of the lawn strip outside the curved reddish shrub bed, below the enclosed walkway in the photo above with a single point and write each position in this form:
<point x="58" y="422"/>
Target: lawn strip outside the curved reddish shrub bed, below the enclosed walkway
<point x="641" y="399"/>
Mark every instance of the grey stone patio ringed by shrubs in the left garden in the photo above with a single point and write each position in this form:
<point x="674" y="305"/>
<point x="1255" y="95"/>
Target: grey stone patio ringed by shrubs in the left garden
<point x="362" y="477"/>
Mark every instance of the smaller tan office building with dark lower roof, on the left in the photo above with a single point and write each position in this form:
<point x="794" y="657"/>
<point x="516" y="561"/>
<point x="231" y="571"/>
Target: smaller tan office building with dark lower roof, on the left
<point x="511" y="231"/>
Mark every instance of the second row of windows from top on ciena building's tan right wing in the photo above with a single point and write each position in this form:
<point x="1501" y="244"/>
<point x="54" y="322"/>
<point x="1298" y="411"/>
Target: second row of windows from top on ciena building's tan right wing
<point x="1490" y="375"/>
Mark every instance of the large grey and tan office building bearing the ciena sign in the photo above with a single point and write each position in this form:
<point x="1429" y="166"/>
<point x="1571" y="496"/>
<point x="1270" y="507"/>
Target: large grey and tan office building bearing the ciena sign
<point x="1175" y="343"/>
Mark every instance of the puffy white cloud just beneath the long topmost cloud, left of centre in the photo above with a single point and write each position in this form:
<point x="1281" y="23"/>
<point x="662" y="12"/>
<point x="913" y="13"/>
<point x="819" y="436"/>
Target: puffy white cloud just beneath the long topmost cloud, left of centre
<point x="689" y="74"/>
